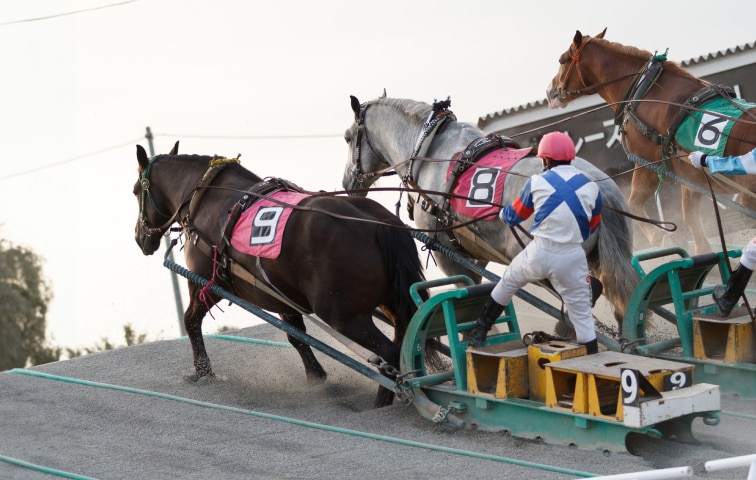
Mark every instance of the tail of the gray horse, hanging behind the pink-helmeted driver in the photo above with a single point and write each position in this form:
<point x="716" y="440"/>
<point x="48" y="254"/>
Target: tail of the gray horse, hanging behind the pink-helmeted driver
<point x="613" y="263"/>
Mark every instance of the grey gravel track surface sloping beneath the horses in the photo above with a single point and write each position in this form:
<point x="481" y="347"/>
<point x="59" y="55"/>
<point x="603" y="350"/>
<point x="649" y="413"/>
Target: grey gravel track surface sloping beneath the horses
<point x="107" y="433"/>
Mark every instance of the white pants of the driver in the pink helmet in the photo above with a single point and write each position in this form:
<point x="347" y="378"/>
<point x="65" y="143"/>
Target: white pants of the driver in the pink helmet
<point x="567" y="269"/>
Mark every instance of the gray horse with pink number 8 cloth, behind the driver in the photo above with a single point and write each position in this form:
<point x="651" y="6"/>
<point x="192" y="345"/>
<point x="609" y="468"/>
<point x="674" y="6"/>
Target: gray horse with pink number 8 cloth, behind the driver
<point x="386" y="134"/>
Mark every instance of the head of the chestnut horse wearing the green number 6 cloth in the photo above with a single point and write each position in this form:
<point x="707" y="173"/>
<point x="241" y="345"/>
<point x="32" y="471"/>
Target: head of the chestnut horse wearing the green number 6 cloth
<point x="571" y="81"/>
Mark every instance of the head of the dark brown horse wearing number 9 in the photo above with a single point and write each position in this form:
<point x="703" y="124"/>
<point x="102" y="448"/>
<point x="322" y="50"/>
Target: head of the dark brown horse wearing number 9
<point x="154" y="215"/>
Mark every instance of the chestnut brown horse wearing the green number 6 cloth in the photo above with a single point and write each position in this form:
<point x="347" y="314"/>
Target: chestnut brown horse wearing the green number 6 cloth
<point x="651" y="98"/>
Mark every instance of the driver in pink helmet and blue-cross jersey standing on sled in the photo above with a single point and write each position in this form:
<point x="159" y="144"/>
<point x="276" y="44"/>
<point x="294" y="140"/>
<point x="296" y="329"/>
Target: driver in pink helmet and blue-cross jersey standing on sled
<point x="567" y="207"/>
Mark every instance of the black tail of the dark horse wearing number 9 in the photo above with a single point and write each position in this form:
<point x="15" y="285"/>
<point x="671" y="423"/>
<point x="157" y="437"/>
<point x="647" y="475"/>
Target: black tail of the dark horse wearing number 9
<point x="402" y="265"/>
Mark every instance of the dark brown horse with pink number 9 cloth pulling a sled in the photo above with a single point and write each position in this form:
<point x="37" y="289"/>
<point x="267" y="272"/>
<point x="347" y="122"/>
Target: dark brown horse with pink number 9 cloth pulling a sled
<point x="341" y="257"/>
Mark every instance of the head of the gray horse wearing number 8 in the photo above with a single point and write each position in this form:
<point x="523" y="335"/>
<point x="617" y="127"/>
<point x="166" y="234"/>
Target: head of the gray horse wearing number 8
<point x="363" y="162"/>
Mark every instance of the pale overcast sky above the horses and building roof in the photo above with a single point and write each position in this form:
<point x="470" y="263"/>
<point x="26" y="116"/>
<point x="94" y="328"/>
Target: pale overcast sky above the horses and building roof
<point x="80" y="82"/>
